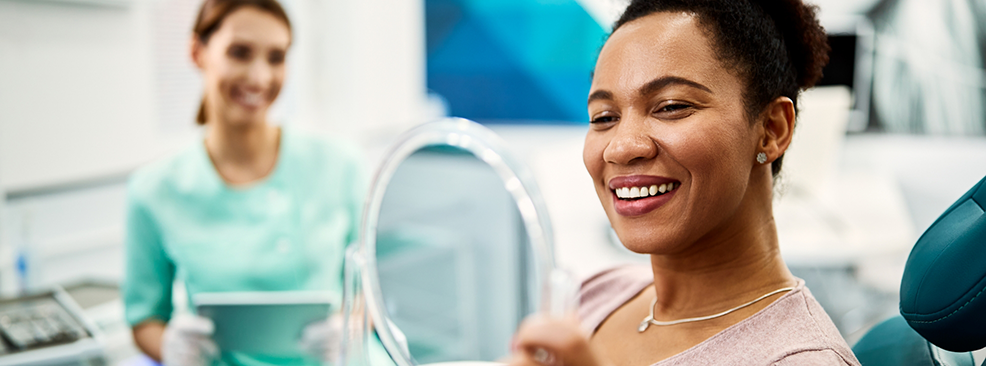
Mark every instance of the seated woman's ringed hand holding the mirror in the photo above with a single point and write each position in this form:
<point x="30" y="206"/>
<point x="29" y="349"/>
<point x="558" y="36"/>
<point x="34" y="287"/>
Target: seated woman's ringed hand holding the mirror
<point x="551" y="341"/>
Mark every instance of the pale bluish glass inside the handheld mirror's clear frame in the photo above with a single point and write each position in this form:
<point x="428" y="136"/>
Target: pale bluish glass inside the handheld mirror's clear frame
<point x="452" y="257"/>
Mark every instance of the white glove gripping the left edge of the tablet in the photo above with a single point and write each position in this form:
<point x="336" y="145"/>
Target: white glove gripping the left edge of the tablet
<point x="187" y="341"/>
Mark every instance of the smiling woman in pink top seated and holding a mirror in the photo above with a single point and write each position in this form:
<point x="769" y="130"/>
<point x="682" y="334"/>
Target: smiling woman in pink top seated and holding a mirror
<point x="692" y="106"/>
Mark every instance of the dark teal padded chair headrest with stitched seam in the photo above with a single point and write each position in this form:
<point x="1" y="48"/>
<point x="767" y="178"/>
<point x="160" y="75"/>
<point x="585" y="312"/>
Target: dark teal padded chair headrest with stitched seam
<point x="943" y="291"/>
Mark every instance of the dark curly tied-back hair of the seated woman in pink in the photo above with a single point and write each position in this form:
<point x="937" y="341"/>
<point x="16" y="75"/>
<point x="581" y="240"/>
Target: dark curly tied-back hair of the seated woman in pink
<point x="776" y="46"/>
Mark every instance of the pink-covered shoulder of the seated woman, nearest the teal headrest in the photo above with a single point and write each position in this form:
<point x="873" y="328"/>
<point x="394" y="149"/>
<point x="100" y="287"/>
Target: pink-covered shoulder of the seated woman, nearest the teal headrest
<point x="793" y="330"/>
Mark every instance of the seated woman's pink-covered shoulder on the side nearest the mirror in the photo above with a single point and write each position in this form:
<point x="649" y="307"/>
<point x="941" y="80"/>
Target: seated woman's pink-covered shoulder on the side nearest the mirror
<point x="605" y="291"/>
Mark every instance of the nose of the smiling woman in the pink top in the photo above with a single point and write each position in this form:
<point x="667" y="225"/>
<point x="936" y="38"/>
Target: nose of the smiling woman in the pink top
<point x="631" y="143"/>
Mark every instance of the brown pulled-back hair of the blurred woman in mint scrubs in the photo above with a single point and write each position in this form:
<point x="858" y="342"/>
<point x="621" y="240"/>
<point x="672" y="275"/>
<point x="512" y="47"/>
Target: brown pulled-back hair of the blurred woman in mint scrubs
<point x="211" y="16"/>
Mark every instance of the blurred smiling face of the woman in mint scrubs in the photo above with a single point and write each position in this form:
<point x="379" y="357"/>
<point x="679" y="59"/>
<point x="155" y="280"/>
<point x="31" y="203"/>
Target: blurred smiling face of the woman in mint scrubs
<point x="243" y="65"/>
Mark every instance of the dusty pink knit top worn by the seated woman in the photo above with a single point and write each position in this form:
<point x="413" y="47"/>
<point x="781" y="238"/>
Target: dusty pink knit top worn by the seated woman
<point x="793" y="330"/>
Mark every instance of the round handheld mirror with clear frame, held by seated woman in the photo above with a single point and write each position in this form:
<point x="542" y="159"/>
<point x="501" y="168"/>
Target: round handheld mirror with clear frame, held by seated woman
<point x="455" y="251"/>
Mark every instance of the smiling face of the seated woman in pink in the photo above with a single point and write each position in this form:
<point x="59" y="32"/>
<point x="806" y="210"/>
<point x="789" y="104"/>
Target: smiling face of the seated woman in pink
<point x="665" y="112"/>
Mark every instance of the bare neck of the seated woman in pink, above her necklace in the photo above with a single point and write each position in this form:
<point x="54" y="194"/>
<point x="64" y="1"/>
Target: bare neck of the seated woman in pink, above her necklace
<point x="739" y="263"/>
